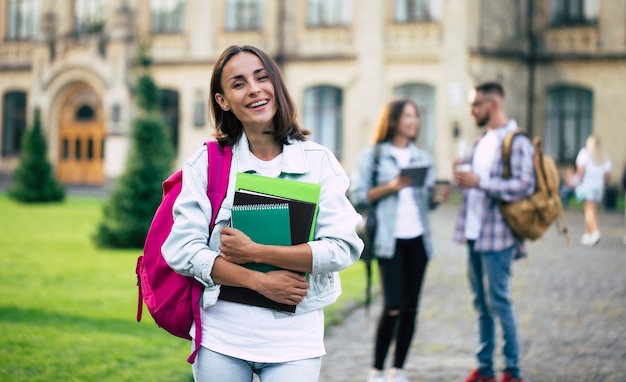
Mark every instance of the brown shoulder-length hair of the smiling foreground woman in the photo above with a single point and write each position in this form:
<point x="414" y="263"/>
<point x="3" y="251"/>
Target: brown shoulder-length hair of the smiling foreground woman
<point x="229" y="128"/>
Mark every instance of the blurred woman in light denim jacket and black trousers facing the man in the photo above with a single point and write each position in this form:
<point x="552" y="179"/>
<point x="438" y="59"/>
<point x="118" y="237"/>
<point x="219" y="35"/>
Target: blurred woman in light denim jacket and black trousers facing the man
<point x="402" y="242"/>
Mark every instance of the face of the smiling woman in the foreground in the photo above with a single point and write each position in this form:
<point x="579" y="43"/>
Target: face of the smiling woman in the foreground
<point x="248" y="92"/>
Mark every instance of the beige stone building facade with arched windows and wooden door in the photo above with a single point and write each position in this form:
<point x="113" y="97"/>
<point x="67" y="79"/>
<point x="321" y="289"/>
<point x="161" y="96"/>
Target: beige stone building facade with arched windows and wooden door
<point x="563" y="64"/>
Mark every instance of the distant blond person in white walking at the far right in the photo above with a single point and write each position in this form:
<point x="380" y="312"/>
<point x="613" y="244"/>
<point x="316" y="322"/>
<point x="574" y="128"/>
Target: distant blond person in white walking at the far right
<point x="594" y="170"/>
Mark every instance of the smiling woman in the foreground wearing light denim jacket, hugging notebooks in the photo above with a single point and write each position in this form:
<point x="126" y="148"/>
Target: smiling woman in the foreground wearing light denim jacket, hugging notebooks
<point x="256" y="116"/>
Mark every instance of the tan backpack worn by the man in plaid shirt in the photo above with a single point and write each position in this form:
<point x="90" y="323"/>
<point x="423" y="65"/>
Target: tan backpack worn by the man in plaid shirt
<point x="531" y="217"/>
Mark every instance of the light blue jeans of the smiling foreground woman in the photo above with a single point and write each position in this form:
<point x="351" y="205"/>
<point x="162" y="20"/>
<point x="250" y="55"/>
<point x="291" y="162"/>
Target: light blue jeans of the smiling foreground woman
<point x="211" y="366"/>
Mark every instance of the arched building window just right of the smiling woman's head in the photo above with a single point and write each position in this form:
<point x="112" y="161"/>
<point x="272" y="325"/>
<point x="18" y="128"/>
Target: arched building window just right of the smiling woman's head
<point x="323" y="107"/>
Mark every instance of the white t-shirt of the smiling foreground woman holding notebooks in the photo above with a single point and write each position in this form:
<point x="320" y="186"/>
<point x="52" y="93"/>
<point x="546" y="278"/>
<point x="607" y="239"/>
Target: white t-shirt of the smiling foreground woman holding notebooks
<point x="254" y="334"/>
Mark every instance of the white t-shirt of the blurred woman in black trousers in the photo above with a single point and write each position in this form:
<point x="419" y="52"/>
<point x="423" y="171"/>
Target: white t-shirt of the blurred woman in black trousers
<point x="408" y="223"/>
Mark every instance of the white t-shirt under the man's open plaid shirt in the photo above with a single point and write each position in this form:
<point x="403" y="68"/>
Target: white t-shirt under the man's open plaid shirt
<point x="484" y="155"/>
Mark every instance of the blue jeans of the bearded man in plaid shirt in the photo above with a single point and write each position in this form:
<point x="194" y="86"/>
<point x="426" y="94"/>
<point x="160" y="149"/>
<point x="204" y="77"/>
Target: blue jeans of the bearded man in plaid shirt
<point x="489" y="275"/>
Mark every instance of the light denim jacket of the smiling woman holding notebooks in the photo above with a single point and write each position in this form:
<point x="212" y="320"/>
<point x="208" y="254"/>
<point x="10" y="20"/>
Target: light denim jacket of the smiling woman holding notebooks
<point x="336" y="245"/>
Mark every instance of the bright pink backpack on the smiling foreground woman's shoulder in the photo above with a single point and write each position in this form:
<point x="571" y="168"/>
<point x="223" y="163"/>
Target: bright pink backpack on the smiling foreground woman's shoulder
<point x="173" y="300"/>
